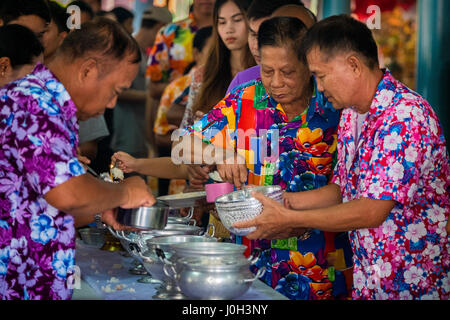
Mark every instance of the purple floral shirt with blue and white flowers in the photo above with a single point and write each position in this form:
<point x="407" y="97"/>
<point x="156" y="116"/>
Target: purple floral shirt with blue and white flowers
<point x="38" y="139"/>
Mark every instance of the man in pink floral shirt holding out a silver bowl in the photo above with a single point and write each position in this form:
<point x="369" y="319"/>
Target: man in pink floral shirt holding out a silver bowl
<point x="391" y="184"/>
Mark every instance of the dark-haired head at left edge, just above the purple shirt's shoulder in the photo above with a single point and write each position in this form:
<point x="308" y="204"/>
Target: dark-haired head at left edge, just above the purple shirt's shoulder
<point x="20" y="50"/>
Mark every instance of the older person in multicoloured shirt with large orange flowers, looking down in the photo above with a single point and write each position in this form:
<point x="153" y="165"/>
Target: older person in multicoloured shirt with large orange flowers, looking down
<point x="285" y="114"/>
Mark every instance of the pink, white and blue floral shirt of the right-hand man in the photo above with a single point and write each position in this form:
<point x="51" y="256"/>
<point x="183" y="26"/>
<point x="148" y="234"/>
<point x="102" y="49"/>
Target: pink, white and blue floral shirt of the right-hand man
<point x="401" y="155"/>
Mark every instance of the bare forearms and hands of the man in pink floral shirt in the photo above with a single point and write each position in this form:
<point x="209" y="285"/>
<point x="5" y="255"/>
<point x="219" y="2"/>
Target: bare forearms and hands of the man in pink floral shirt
<point x="320" y="209"/>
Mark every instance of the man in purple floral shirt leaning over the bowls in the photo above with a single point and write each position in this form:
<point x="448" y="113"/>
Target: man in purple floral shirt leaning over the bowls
<point x="44" y="191"/>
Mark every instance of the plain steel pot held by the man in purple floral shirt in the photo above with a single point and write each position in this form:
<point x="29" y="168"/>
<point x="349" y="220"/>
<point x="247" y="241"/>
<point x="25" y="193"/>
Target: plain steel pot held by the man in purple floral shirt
<point x="147" y="218"/>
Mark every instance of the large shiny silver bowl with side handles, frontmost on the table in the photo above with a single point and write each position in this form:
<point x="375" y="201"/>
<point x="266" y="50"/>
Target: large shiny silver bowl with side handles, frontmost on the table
<point x="211" y="270"/>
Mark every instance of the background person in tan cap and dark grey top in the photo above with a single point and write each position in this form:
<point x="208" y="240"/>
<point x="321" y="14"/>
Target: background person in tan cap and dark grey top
<point x="129" y="113"/>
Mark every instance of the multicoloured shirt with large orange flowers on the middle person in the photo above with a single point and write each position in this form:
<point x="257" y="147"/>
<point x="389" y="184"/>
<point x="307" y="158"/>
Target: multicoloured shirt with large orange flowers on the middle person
<point x="296" y="155"/>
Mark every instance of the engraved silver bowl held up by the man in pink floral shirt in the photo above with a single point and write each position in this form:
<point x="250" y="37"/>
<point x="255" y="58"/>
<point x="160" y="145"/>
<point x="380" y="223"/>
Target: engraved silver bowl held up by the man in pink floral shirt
<point x="241" y="206"/>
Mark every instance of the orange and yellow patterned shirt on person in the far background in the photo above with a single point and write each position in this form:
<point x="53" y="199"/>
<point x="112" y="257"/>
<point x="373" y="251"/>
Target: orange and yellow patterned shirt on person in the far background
<point x="172" y="51"/>
